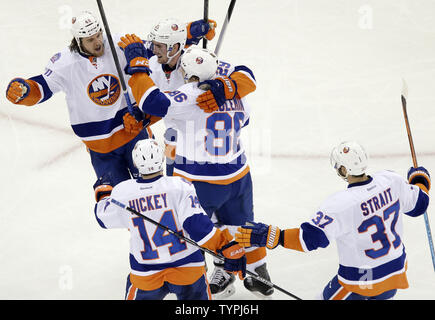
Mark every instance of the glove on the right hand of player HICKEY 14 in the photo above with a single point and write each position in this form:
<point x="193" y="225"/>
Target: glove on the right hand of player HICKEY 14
<point x="235" y="259"/>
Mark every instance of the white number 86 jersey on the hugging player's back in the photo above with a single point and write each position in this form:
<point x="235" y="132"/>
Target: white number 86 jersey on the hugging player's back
<point x="209" y="148"/>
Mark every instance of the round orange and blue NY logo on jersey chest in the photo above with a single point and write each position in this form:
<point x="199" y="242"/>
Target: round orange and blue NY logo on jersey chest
<point x="104" y="90"/>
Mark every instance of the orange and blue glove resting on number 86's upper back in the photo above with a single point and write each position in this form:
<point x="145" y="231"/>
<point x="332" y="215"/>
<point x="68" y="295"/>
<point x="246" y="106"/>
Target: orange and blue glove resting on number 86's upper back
<point x="221" y="89"/>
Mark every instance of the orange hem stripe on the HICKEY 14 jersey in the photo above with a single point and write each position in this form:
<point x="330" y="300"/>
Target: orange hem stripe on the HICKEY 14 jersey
<point x="178" y="276"/>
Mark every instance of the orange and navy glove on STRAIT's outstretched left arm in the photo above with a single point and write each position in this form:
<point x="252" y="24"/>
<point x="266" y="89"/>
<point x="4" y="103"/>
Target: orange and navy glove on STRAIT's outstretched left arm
<point x="258" y="235"/>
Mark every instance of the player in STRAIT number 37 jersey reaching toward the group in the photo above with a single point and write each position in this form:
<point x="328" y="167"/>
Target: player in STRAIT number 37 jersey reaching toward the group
<point x="366" y="222"/>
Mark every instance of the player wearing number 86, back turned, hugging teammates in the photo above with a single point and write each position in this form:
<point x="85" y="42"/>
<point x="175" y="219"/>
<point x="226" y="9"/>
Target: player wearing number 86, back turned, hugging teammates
<point x="209" y="152"/>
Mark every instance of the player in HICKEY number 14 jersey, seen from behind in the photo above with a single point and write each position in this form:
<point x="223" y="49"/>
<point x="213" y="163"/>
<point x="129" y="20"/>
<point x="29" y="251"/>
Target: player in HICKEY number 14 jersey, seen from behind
<point x="160" y="262"/>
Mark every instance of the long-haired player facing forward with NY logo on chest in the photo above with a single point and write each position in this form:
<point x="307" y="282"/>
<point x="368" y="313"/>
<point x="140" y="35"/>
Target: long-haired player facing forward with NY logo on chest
<point x="85" y="71"/>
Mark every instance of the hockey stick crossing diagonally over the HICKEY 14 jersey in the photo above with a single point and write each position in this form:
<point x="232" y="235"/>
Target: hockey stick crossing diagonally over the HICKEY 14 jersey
<point x="181" y="237"/>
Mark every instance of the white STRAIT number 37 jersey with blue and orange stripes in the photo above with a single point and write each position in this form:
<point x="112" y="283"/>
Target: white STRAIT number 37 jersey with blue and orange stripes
<point x="366" y="222"/>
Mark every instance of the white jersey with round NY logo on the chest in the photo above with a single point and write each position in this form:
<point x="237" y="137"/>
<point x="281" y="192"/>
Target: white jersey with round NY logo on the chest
<point x="94" y="96"/>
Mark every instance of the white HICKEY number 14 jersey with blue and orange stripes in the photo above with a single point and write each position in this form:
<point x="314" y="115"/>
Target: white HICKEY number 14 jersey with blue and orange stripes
<point x="155" y="255"/>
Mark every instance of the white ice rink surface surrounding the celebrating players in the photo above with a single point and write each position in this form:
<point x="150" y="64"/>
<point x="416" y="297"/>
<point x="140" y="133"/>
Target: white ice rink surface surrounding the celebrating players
<point x="326" y="71"/>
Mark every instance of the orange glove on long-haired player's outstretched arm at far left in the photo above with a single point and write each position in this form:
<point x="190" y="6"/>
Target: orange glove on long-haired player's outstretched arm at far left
<point x="24" y="92"/>
